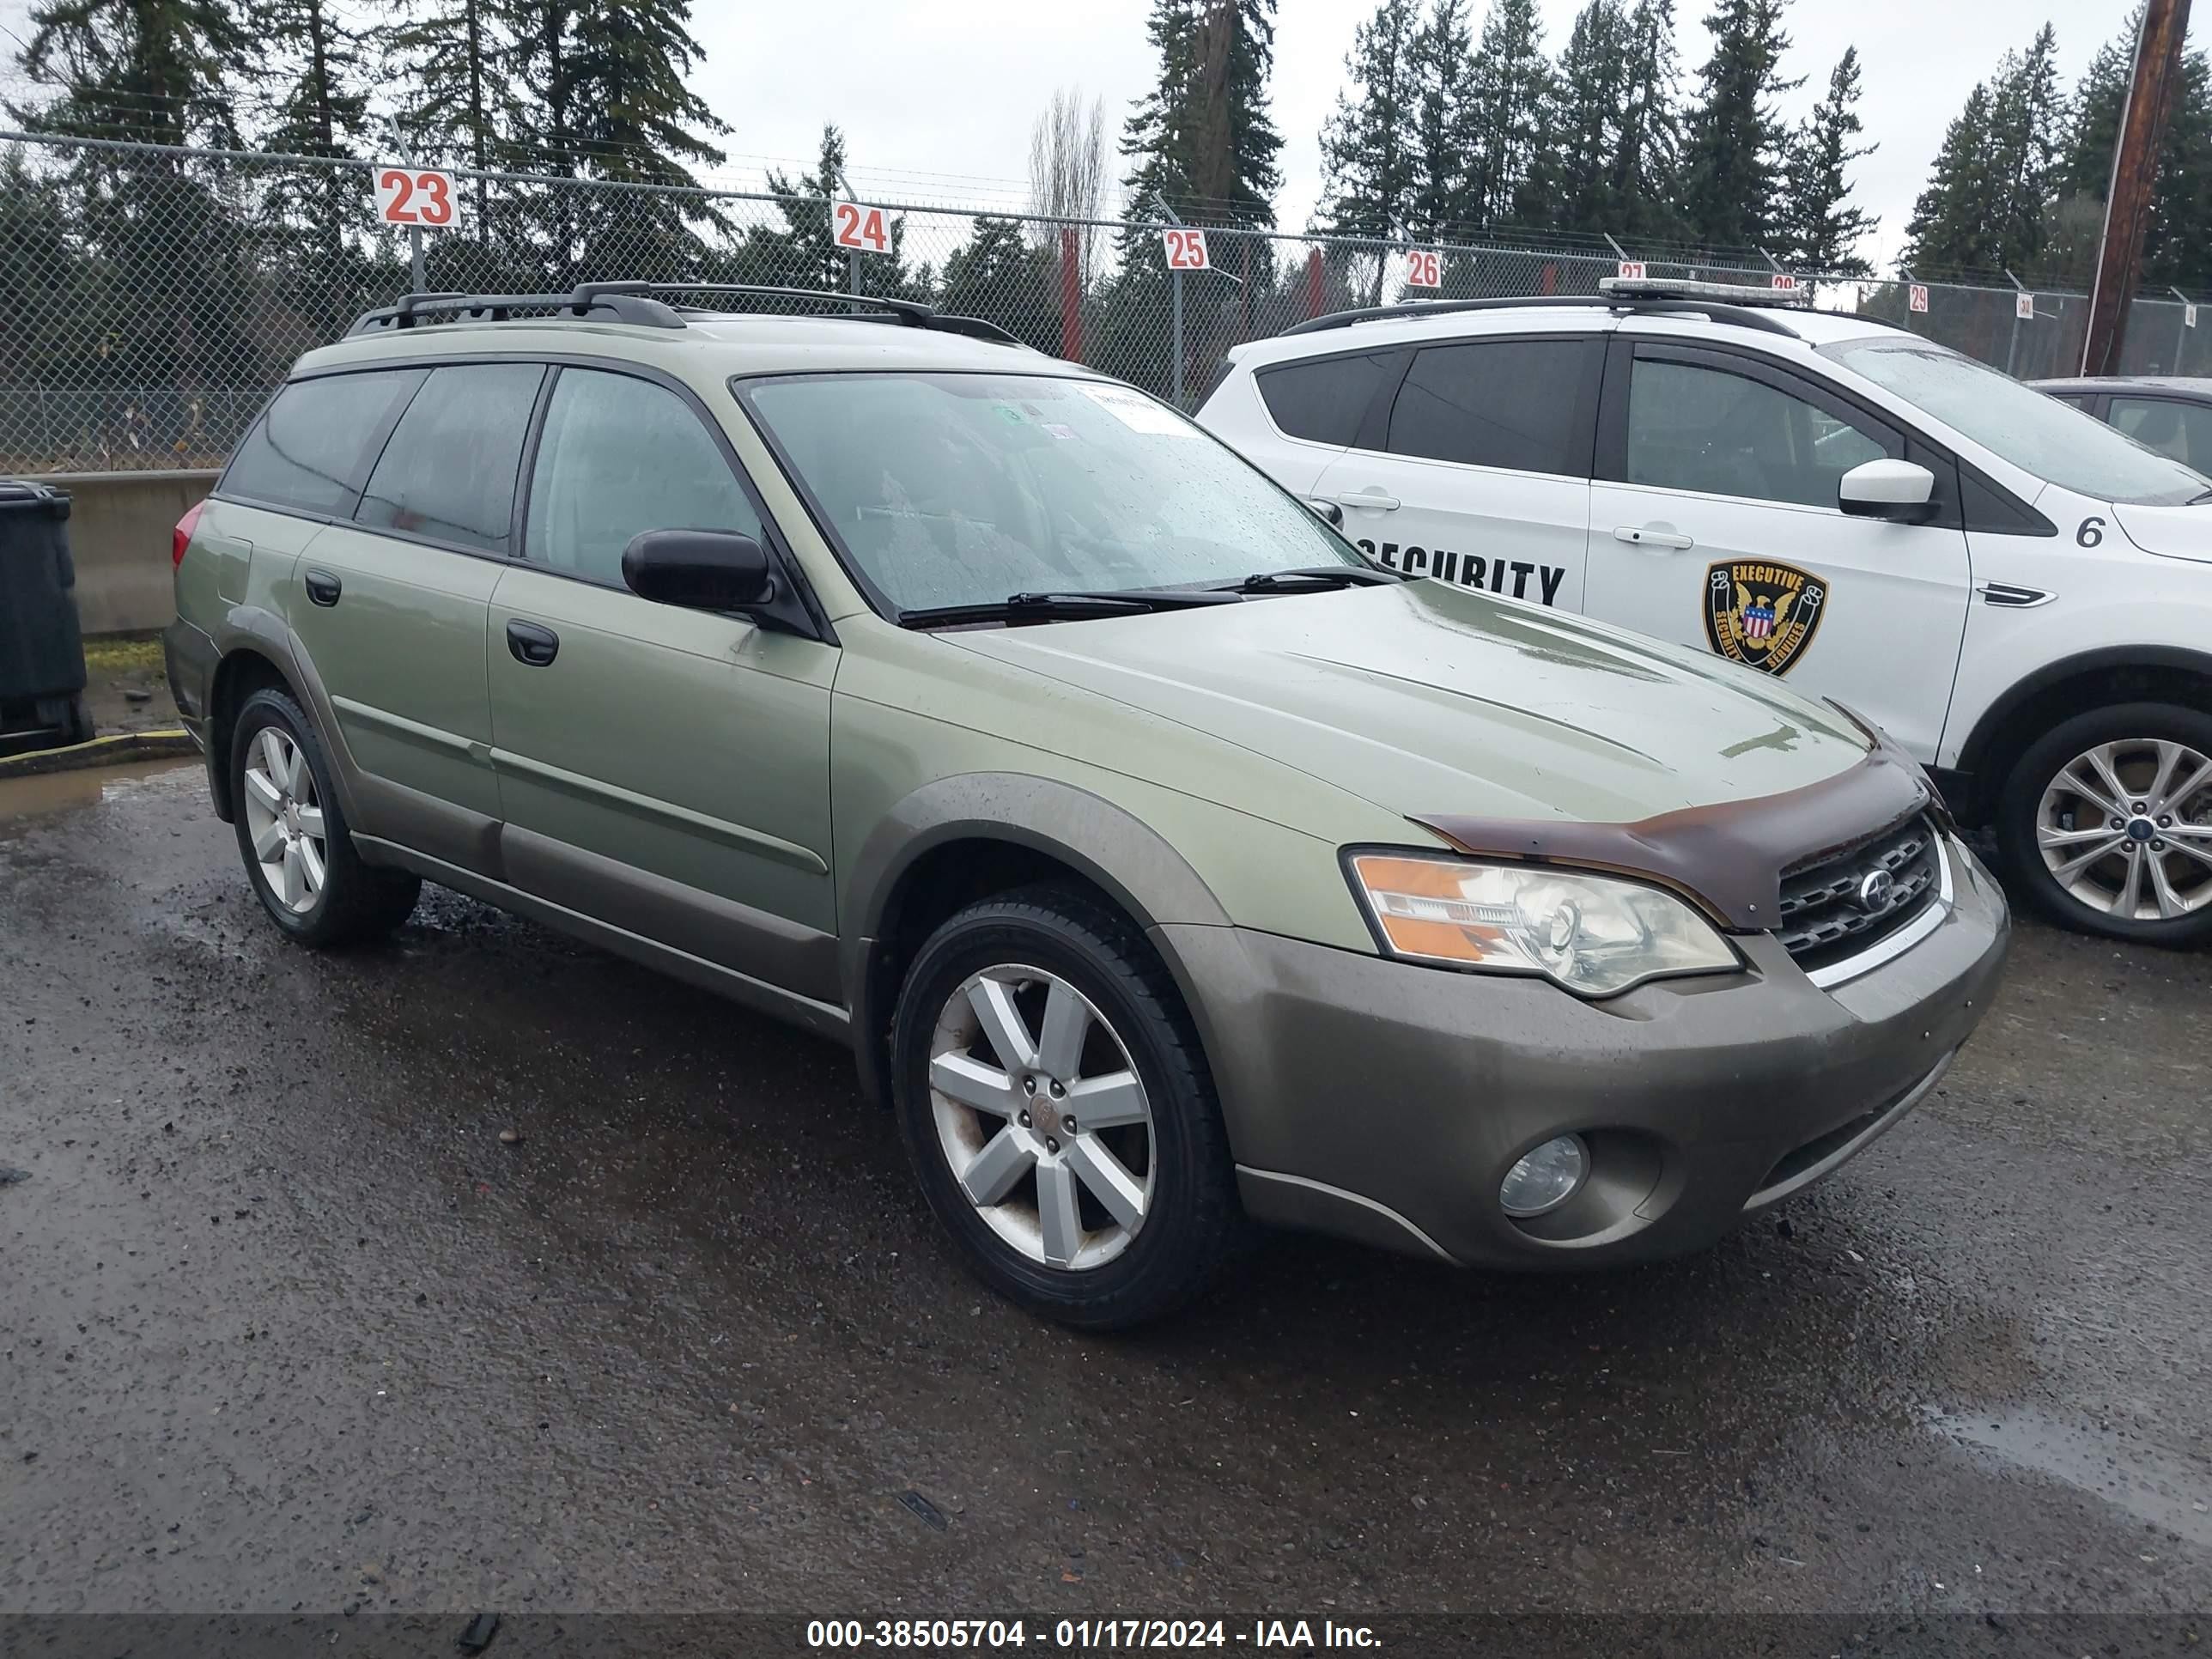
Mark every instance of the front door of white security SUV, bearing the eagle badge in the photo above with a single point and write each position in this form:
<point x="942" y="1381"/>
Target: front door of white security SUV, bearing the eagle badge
<point x="1715" y="523"/>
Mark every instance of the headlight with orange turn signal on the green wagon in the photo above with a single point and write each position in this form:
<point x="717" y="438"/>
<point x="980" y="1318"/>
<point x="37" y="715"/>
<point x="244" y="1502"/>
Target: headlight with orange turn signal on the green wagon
<point x="1594" y="935"/>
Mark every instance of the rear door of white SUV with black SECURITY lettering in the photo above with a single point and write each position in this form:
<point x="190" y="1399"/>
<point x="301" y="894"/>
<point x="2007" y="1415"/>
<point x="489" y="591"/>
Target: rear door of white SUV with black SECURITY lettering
<point x="1481" y="472"/>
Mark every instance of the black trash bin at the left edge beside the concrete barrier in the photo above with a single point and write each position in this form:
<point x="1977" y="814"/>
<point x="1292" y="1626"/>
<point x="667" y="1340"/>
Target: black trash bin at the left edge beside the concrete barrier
<point x="41" y="647"/>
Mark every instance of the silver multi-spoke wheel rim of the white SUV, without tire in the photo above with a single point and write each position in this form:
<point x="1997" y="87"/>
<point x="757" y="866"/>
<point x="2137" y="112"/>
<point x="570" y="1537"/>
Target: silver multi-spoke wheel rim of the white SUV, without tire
<point x="2127" y="831"/>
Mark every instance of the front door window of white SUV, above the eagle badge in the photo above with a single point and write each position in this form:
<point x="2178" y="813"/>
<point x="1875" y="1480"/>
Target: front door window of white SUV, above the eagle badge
<point x="1729" y="435"/>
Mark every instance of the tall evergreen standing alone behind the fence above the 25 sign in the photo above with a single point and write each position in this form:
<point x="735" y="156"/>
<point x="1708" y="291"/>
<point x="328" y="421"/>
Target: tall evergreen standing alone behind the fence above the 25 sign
<point x="1202" y="140"/>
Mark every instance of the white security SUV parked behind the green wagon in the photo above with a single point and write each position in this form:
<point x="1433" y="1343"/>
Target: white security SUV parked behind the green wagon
<point x="2016" y="592"/>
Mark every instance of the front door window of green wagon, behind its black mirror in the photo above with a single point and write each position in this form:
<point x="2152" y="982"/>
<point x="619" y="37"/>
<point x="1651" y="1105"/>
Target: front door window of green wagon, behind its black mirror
<point x="623" y="457"/>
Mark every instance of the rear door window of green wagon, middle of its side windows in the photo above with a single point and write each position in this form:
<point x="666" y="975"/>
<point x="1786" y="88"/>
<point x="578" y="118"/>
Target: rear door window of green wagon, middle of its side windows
<point x="450" y="468"/>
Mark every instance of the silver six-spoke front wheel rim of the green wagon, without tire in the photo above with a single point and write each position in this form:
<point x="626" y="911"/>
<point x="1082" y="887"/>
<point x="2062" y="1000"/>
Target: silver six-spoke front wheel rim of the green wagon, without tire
<point x="1043" y="1116"/>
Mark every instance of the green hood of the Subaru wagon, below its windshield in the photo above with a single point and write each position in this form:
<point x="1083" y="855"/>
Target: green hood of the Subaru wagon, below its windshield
<point x="1428" y="698"/>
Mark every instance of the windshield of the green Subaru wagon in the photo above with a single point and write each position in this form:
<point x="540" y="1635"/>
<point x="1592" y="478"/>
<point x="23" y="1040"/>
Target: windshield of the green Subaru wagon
<point x="954" y="490"/>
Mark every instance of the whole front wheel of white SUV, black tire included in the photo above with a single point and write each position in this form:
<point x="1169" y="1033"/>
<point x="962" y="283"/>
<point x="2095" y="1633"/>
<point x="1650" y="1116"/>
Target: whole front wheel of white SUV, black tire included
<point x="2107" y="824"/>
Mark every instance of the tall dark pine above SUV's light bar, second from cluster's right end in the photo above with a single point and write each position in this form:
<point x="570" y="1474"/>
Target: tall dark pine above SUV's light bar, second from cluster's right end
<point x="1735" y="138"/>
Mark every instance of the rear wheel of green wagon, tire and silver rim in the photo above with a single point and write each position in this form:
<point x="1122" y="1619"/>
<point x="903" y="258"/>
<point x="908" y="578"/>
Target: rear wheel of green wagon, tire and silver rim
<point x="300" y="855"/>
